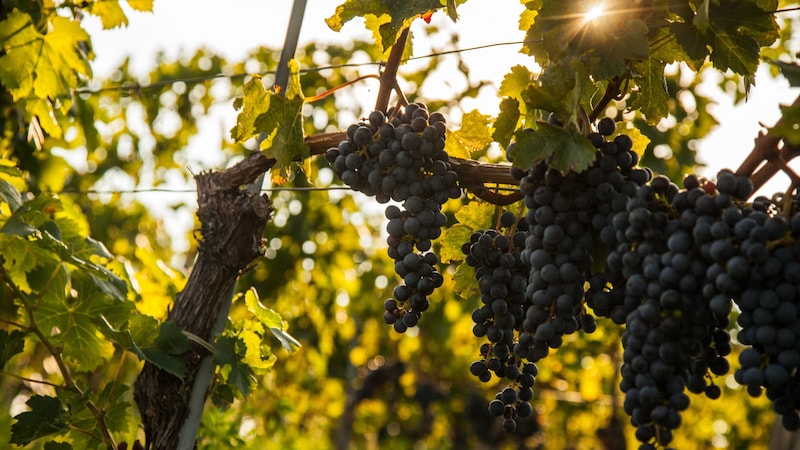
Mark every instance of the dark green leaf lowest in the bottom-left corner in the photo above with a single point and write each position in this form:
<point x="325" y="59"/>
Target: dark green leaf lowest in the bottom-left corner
<point x="46" y="417"/>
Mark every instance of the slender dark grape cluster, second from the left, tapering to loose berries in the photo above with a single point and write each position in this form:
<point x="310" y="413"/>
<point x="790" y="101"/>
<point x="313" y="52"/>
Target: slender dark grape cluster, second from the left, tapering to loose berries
<point x="502" y="279"/>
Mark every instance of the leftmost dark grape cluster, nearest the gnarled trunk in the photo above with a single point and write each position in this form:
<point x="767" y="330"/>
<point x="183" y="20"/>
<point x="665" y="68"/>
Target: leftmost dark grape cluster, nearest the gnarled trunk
<point x="400" y="156"/>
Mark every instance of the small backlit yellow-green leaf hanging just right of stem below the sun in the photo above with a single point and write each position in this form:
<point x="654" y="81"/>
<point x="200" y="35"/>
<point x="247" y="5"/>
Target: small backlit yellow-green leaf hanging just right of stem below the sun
<point x="652" y="99"/>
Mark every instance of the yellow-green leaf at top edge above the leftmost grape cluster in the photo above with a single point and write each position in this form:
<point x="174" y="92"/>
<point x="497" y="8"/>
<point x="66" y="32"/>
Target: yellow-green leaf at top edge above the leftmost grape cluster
<point x="394" y="16"/>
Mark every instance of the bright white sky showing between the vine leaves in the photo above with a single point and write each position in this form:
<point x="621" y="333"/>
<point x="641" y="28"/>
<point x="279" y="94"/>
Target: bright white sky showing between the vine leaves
<point x="179" y="26"/>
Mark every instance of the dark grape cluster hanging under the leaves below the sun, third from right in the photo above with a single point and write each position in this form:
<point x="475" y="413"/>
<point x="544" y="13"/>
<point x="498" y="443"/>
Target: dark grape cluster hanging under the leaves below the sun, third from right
<point x="564" y="210"/>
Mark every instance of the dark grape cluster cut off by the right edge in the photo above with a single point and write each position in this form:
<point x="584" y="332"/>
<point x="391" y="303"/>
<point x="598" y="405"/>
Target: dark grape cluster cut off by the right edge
<point x="770" y="308"/>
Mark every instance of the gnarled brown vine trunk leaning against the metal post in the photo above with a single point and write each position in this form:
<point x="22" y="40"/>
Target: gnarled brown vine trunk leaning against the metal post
<point x="232" y="222"/>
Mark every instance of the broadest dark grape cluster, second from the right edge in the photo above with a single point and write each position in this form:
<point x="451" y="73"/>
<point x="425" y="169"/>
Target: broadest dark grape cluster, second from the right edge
<point x="667" y="267"/>
